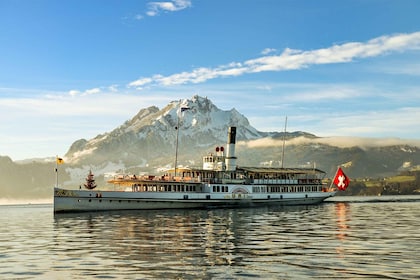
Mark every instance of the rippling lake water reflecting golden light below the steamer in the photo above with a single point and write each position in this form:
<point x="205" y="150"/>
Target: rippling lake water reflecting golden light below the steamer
<point x="348" y="238"/>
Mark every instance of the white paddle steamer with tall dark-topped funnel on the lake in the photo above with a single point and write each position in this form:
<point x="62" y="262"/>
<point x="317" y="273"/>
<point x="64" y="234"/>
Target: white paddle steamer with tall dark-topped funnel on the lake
<point x="218" y="183"/>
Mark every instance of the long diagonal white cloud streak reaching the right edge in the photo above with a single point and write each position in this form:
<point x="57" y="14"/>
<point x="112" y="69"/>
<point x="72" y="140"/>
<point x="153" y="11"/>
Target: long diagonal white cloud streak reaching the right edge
<point x="290" y="60"/>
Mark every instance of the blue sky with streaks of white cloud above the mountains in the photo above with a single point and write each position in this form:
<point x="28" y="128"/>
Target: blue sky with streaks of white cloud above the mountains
<point x="74" y="69"/>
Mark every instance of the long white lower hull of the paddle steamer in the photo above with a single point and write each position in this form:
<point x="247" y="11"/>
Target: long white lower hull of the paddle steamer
<point x="81" y="200"/>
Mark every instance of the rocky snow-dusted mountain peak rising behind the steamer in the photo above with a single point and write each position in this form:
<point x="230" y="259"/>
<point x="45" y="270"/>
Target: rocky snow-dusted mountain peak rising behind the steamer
<point x="150" y="136"/>
